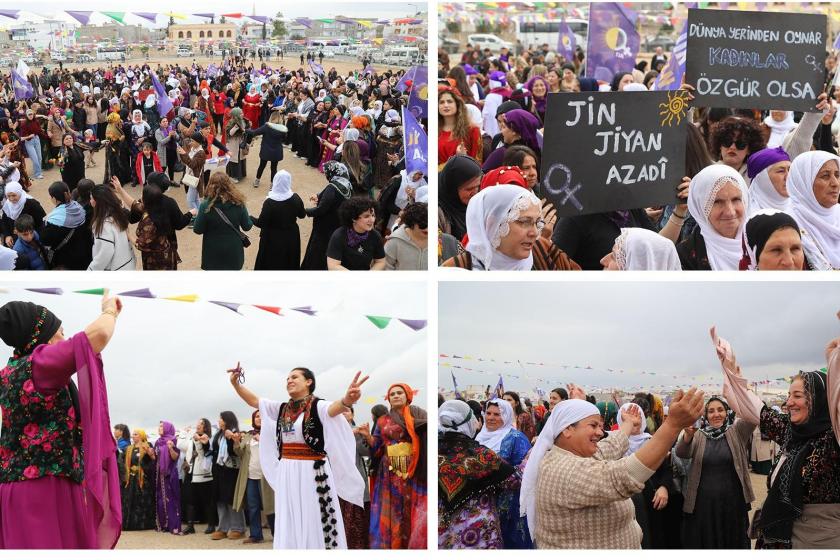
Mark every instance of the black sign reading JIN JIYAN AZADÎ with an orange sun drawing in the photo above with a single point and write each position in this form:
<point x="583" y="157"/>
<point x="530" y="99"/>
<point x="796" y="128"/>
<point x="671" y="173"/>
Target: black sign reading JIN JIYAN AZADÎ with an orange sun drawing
<point x="613" y="151"/>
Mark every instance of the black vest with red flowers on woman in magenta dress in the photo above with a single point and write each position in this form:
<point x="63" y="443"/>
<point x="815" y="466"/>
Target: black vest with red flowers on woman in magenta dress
<point x="41" y="434"/>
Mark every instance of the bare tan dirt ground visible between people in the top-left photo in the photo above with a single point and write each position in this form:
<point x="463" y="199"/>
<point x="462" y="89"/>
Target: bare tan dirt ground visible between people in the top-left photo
<point x="306" y="181"/>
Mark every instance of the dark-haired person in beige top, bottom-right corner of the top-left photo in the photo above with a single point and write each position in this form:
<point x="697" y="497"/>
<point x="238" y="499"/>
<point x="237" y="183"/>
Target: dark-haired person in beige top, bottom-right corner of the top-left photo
<point x="407" y="248"/>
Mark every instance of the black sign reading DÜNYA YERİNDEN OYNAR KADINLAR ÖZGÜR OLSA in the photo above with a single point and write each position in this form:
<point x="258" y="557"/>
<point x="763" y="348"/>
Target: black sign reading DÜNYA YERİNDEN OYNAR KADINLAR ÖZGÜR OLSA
<point x="756" y="60"/>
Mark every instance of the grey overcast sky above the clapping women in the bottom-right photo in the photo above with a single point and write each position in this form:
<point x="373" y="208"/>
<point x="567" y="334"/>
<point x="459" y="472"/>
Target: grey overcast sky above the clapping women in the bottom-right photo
<point x="775" y="328"/>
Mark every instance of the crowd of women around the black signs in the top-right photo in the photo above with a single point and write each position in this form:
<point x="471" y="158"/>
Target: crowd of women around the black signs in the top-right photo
<point x="761" y="189"/>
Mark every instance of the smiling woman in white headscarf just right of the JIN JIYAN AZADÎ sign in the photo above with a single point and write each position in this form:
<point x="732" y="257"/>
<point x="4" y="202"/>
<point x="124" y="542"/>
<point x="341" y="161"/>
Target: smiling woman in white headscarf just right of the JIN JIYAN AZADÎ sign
<point x="717" y="200"/>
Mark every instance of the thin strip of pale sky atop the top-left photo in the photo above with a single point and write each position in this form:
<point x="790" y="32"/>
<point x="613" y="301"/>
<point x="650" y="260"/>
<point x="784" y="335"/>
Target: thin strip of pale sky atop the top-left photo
<point x="288" y="9"/>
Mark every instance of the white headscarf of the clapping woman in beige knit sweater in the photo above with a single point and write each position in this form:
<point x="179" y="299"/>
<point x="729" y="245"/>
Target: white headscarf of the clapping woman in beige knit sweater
<point x="563" y="415"/>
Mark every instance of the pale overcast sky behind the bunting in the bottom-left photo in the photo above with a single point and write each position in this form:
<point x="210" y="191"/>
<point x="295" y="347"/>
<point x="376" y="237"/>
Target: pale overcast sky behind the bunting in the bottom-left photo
<point x="167" y="359"/>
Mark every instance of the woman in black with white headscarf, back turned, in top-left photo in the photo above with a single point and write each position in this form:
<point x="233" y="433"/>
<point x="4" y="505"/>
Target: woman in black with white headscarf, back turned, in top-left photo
<point x="279" y="232"/>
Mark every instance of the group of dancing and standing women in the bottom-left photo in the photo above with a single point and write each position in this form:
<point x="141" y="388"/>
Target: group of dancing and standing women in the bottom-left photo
<point x="305" y="470"/>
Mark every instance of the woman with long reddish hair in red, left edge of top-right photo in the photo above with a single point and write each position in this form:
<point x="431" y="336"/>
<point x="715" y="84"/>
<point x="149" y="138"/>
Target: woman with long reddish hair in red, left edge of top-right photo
<point x="455" y="134"/>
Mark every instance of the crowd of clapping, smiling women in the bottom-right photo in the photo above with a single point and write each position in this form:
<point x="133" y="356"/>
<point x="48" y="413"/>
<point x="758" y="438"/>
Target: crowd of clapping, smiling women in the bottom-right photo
<point x="574" y="472"/>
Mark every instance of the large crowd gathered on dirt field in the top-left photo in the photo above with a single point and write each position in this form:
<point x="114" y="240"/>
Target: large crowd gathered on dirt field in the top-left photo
<point x="193" y="126"/>
